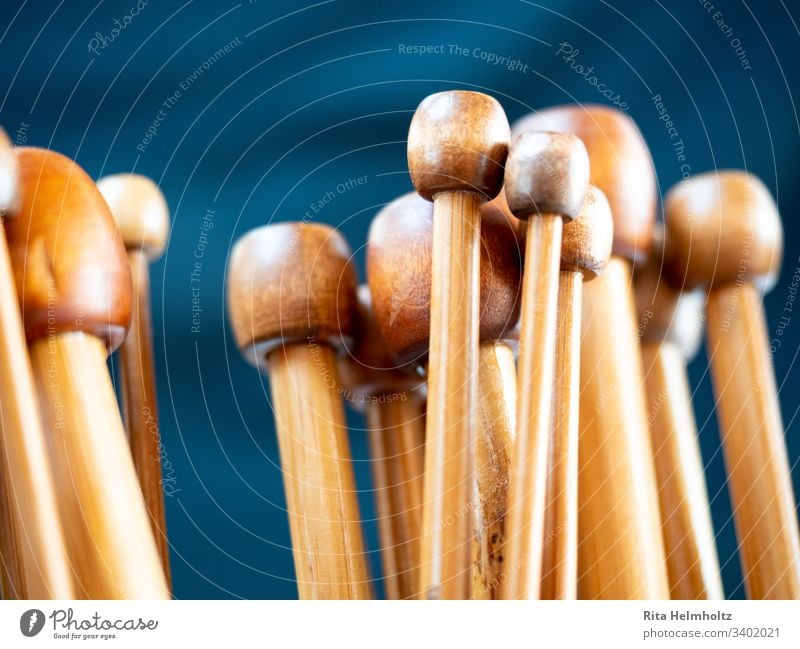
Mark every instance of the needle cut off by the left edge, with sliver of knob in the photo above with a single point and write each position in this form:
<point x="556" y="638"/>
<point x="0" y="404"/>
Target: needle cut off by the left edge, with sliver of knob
<point x="31" y="541"/>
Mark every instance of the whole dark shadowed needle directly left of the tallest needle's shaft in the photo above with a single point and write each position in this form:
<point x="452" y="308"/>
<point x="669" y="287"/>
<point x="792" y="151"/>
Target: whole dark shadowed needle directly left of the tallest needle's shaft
<point x="393" y="401"/>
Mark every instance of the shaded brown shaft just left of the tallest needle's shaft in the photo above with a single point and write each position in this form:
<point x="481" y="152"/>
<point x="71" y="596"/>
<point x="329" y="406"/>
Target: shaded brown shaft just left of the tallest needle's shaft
<point x="397" y="449"/>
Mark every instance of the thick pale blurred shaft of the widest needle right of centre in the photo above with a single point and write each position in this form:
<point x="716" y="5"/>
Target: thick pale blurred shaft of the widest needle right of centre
<point x="620" y="551"/>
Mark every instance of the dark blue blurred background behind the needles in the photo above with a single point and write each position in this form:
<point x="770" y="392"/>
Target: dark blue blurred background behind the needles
<point x="312" y="98"/>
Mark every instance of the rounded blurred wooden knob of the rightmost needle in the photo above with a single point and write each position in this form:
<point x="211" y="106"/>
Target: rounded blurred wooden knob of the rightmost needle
<point x="721" y="228"/>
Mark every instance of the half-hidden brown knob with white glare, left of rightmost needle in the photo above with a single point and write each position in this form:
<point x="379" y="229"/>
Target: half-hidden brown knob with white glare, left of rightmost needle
<point x="667" y="314"/>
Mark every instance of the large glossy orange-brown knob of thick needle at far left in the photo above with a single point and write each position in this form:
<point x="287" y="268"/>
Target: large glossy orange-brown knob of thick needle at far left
<point x="69" y="262"/>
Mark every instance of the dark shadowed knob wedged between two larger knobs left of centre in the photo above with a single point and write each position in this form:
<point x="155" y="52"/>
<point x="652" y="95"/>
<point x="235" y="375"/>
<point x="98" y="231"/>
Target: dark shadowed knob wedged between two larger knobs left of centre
<point x="368" y="370"/>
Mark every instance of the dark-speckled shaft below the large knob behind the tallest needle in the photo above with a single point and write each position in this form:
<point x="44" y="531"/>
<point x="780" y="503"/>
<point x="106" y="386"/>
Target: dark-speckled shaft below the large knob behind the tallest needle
<point x="497" y="394"/>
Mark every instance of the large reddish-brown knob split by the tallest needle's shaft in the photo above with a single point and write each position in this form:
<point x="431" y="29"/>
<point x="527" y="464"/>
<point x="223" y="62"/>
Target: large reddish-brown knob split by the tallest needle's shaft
<point x="399" y="267"/>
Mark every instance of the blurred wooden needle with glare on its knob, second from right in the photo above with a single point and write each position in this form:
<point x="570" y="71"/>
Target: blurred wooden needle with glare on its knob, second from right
<point x="671" y="324"/>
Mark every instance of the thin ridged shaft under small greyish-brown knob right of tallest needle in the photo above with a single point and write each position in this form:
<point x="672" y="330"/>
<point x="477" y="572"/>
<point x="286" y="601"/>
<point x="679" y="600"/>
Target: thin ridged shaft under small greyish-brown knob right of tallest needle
<point x="526" y="512"/>
